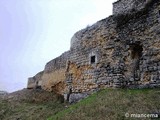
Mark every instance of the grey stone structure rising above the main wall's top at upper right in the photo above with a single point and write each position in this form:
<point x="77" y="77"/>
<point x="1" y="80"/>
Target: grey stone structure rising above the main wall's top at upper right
<point x="125" y="6"/>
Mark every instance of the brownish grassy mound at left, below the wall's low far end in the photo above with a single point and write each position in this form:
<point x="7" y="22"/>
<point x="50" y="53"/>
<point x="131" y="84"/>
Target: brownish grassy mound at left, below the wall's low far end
<point x="30" y="105"/>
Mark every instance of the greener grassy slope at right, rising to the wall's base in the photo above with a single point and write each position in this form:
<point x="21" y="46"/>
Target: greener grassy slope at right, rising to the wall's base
<point x="112" y="104"/>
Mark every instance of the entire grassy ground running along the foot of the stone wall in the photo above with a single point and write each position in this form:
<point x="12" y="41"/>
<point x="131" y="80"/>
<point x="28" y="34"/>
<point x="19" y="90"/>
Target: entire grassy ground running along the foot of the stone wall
<point x="108" y="104"/>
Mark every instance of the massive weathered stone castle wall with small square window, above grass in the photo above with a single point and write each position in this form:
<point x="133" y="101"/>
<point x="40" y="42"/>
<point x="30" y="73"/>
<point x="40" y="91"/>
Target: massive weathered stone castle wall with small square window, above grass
<point x="119" y="51"/>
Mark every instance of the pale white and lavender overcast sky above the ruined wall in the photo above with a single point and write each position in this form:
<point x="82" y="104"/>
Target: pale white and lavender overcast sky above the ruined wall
<point x="32" y="32"/>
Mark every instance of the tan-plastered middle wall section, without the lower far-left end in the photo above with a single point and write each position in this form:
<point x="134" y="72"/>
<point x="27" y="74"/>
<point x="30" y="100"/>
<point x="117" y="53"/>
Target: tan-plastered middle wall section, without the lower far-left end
<point x="54" y="74"/>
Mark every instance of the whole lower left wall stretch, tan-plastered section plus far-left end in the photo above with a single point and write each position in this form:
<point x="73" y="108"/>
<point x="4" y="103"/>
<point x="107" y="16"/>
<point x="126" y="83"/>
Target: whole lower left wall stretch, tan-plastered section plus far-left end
<point x="53" y="76"/>
